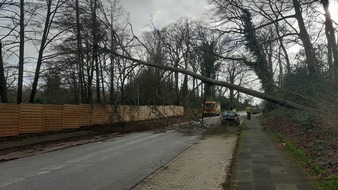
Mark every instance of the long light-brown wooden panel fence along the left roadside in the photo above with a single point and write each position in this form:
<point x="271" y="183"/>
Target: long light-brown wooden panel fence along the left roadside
<point x="35" y="118"/>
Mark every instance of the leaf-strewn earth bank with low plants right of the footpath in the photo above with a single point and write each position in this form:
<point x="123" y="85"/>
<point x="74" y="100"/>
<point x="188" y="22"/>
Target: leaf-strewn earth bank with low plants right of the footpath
<point x="311" y="140"/>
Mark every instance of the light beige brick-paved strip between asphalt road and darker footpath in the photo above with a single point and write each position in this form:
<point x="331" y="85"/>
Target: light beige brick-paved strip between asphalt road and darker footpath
<point x="203" y="166"/>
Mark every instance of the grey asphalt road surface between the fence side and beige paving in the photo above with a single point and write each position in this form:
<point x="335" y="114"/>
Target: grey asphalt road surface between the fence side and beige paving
<point x="117" y="163"/>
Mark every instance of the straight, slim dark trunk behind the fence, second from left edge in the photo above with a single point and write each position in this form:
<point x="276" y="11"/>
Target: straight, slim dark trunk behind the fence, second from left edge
<point x="21" y="51"/>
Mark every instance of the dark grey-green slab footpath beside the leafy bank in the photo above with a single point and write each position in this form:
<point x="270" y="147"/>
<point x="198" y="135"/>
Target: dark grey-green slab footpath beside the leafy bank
<point x="262" y="164"/>
